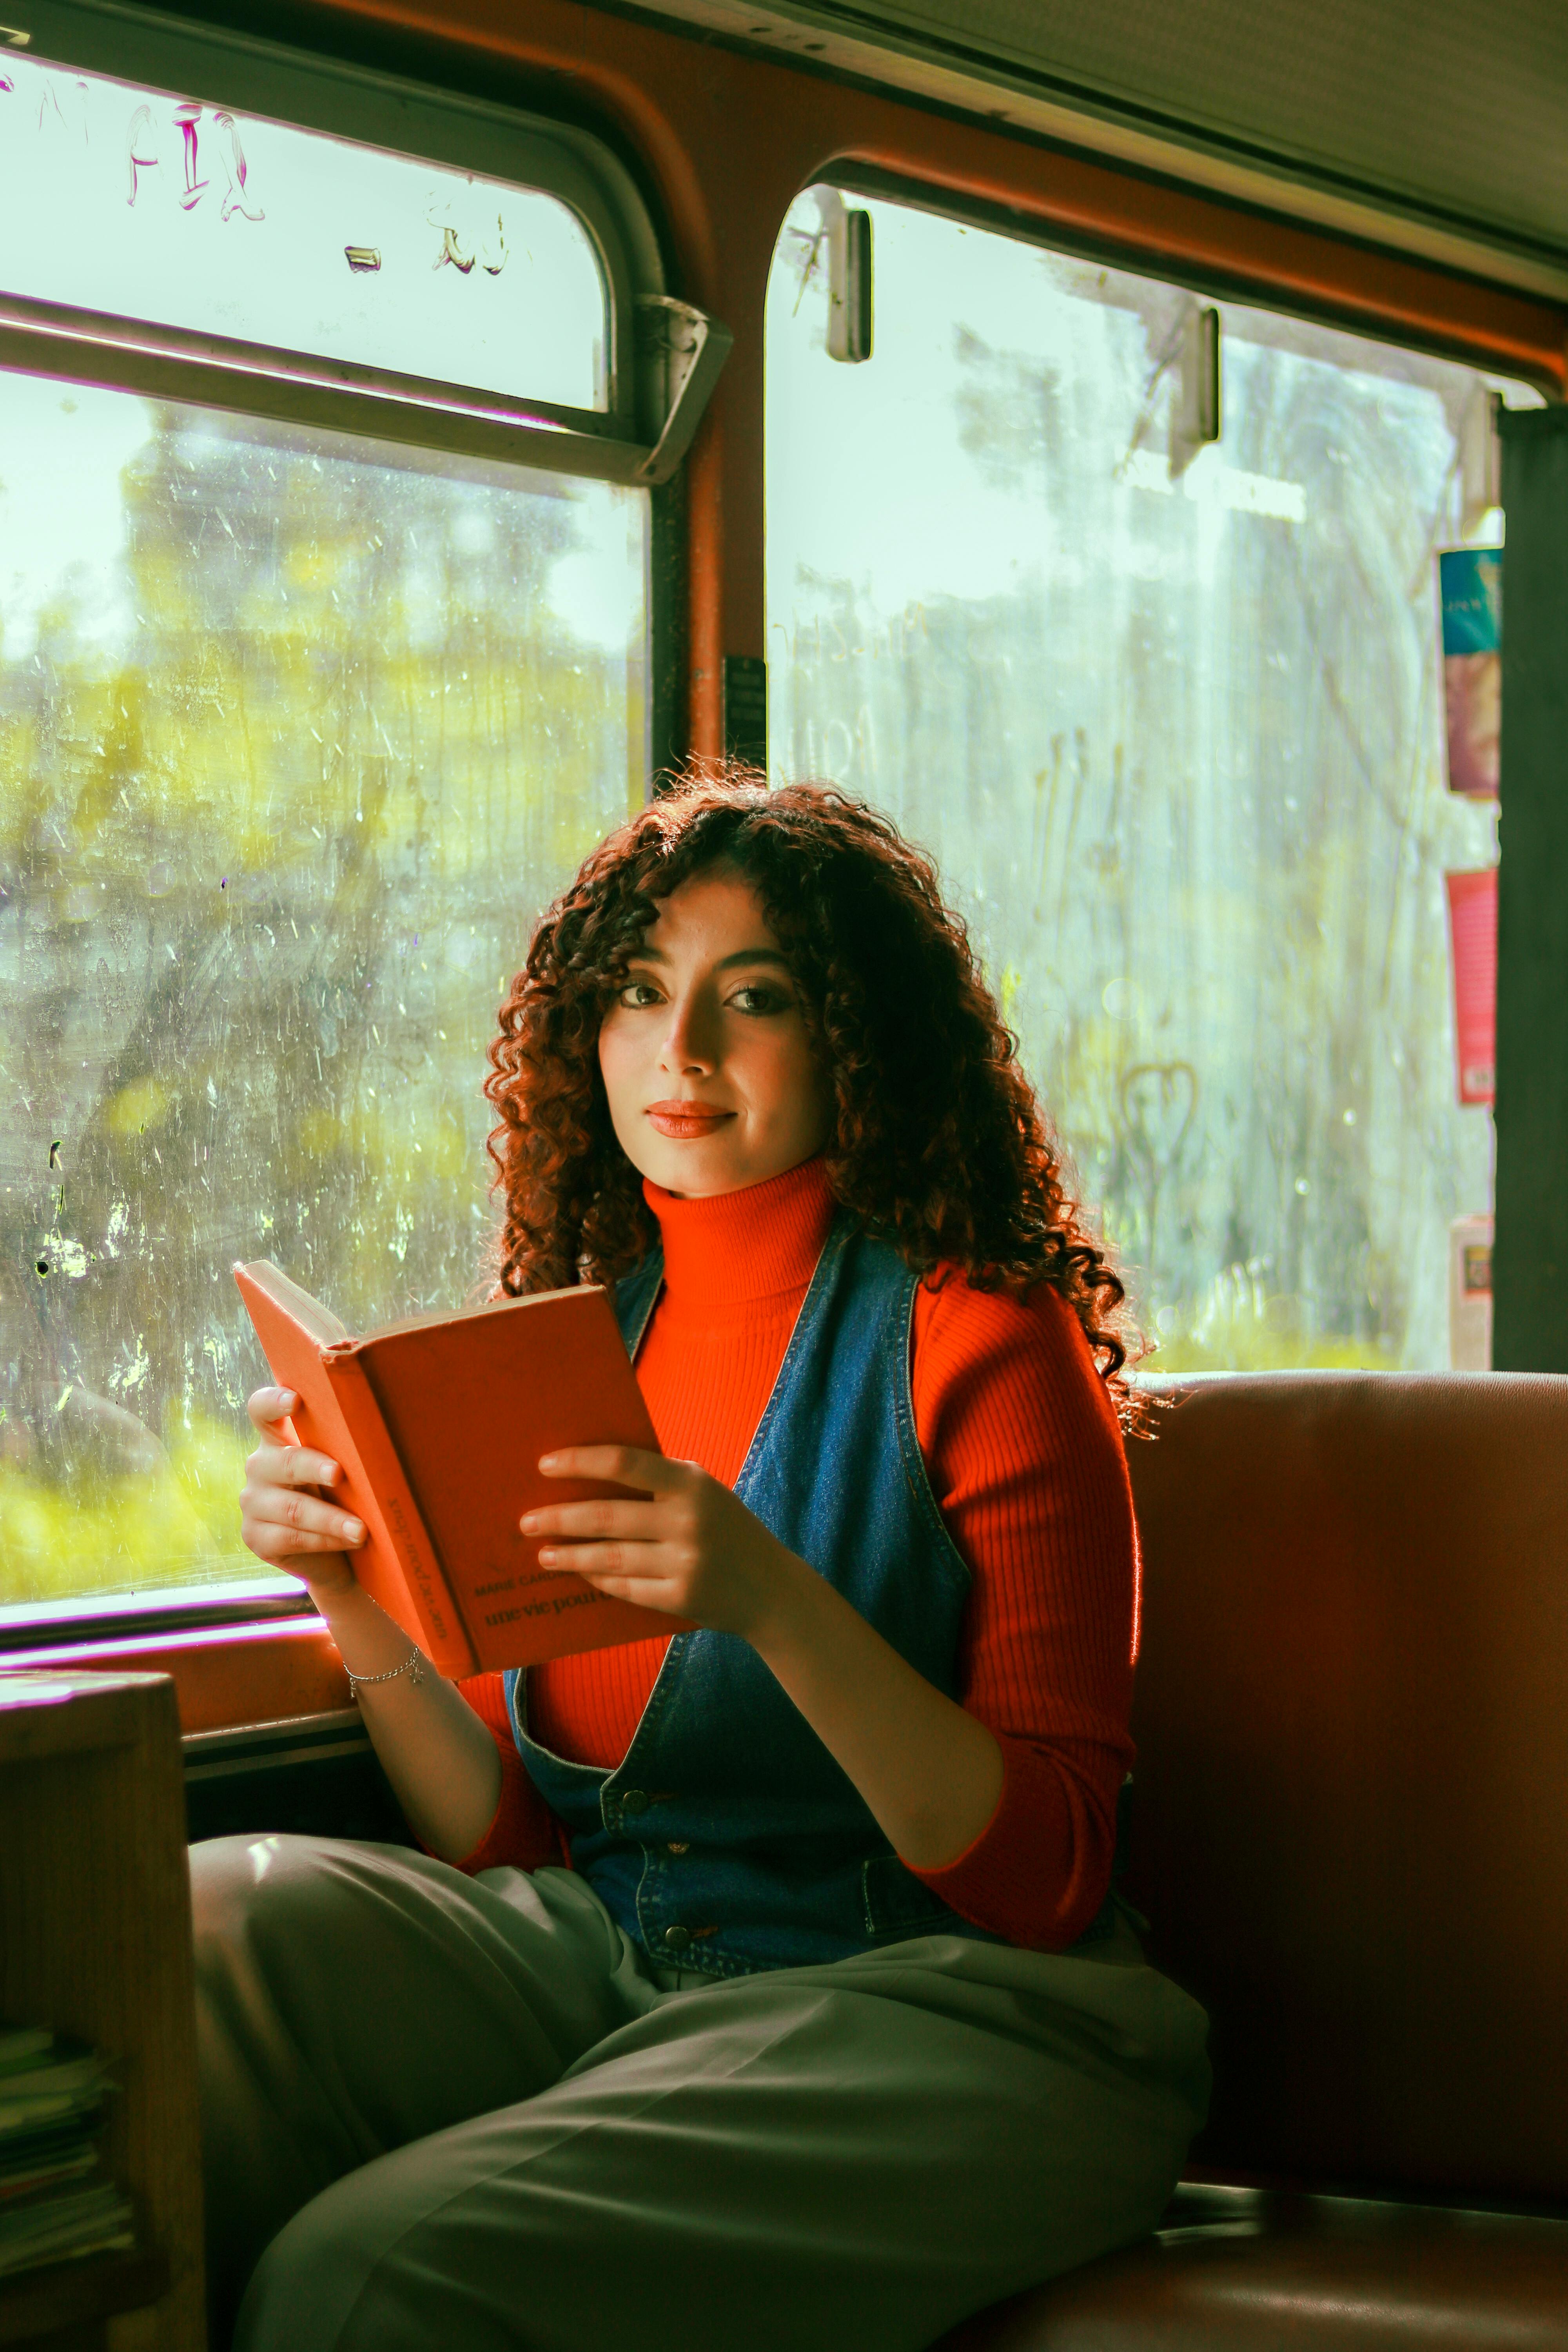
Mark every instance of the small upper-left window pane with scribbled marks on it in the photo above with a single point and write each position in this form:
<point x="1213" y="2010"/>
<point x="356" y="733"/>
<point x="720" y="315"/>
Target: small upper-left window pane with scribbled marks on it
<point x="182" y="213"/>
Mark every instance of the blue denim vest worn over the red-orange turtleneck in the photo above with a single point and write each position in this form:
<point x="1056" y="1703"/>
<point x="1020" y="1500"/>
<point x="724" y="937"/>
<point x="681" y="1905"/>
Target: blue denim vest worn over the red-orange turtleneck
<point x="728" y="1838"/>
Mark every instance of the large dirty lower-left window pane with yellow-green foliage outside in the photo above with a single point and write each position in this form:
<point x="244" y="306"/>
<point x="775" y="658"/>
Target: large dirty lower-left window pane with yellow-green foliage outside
<point x="295" y="742"/>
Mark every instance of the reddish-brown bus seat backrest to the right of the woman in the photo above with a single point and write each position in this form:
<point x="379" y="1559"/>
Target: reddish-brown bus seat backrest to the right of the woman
<point x="1351" y="1810"/>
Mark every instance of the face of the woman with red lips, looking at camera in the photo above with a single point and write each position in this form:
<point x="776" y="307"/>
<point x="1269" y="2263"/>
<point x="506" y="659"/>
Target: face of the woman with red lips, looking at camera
<point x="711" y="1076"/>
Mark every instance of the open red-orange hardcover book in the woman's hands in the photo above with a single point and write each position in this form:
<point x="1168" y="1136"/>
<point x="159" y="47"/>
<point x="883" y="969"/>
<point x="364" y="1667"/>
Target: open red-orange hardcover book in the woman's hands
<point x="438" y="1426"/>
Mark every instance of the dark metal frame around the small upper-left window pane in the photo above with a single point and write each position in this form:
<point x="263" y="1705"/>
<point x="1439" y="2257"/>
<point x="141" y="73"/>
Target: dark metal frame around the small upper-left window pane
<point x="659" y="361"/>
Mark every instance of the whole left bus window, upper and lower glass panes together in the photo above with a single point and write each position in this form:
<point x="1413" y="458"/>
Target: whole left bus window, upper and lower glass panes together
<point x="297" y="730"/>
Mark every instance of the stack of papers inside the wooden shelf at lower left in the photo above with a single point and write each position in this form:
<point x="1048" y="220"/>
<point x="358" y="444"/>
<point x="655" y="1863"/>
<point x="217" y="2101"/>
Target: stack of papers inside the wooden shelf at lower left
<point x="55" y="2203"/>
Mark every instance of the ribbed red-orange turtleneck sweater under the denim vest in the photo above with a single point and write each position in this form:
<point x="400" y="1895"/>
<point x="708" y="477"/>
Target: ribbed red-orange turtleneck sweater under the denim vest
<point x="1026" y="1464"/>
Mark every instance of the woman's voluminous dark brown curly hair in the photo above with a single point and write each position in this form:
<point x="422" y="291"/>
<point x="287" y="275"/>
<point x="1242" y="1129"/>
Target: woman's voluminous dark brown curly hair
<point x="939" y="1140"/>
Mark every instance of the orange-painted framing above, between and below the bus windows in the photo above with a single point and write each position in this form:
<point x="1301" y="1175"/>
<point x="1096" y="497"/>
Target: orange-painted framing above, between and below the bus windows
<point x="725" y="140"/>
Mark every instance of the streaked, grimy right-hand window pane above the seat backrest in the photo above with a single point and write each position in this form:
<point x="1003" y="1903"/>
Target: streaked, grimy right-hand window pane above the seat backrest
<point x="1170" y="719"/>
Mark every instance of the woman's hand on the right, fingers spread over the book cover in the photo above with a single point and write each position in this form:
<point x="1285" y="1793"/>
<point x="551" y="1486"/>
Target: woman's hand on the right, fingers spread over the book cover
<point x="685" y="1546"/>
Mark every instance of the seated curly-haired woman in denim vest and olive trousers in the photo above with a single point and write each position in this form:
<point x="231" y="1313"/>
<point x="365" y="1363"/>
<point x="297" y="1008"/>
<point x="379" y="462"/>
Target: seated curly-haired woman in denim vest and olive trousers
<point x="760" y="1986"/>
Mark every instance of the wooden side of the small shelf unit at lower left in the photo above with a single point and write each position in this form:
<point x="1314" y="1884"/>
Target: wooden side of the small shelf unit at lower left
<point x="95" y="1942"/>
